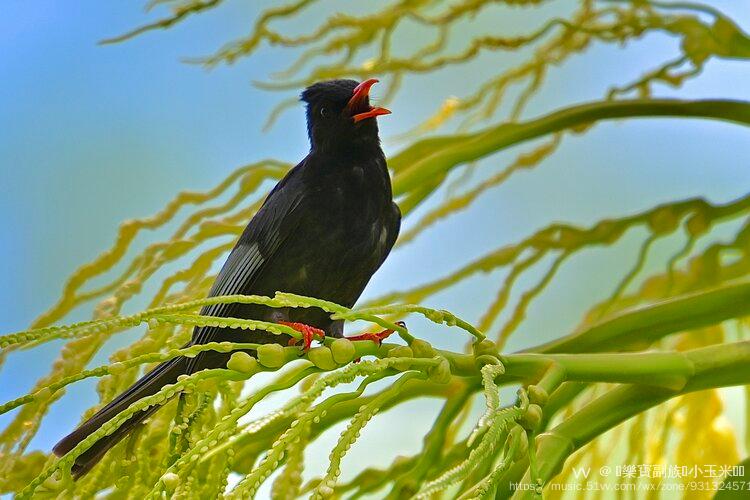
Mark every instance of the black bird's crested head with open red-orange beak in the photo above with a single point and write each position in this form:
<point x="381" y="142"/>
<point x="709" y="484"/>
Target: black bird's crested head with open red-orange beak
<point x="339" y="115"/>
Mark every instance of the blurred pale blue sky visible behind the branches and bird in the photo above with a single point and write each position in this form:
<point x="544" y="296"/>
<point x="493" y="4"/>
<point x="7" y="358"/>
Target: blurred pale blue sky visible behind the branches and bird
<point x="93" y="135"/>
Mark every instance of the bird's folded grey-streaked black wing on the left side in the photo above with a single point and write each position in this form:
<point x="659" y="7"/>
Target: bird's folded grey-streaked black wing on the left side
<point x="274" y="223"/>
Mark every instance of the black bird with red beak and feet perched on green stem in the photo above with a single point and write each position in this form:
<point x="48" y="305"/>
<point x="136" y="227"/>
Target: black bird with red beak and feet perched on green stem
<point x="322" y="232"/>
